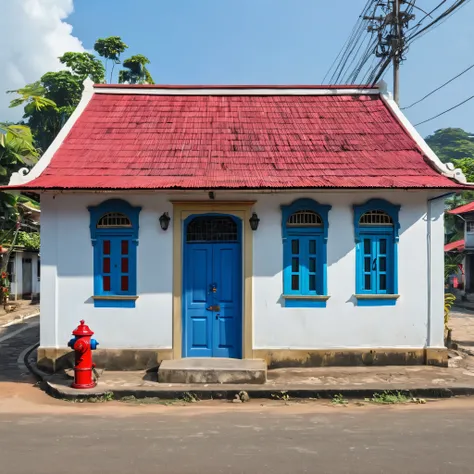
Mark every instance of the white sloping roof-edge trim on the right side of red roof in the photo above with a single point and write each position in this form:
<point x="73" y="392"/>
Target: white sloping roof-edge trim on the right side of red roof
<point x="447" y="169"/>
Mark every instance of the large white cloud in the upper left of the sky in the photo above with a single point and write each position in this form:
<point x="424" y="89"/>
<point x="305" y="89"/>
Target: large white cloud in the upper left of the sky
<point x="33" y="34"/>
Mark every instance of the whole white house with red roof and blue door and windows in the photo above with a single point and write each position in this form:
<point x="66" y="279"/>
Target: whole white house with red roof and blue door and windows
<point x="305" y="227"/>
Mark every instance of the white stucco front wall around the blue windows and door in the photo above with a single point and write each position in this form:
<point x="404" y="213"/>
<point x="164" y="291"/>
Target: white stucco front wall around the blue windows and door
<point x="67" y="286"/>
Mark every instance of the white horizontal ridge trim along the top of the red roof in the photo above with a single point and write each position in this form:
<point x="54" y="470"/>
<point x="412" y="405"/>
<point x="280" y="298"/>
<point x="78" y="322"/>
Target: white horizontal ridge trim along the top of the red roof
<point x="238" y="91"/>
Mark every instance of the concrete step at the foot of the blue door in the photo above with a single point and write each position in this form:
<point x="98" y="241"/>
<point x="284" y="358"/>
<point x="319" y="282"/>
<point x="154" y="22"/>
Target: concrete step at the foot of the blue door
<point x="213" y="370"/>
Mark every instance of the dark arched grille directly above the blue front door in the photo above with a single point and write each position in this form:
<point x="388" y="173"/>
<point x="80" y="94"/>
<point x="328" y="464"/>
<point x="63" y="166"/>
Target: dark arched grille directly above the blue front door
<point x="212" y="229"/>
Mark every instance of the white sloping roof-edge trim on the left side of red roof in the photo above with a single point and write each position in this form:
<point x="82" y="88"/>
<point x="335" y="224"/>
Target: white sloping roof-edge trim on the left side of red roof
<point x="24" y="176"/>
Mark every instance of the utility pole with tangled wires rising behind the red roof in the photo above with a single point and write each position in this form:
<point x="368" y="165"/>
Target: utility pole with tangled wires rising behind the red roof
<point x="389" y="26"/>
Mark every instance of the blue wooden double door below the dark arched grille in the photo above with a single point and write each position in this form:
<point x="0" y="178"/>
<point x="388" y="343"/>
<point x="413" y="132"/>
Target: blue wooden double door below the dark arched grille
<point x="212" y="320"/>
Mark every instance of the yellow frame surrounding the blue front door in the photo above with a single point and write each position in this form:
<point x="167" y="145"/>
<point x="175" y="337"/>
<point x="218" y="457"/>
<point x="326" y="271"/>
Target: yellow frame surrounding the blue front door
<point x="240" y="209"/>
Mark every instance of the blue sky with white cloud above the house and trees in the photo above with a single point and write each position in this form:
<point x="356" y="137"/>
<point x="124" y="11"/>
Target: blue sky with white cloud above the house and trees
<point x="235" y="42"/>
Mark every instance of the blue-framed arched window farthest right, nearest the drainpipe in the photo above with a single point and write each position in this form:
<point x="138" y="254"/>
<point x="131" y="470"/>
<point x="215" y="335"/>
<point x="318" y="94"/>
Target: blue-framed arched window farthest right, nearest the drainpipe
<point x="376" y="233"/>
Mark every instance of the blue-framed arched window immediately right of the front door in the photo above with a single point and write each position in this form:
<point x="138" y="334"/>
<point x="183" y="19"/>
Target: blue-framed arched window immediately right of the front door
<point x="305" y="233"/>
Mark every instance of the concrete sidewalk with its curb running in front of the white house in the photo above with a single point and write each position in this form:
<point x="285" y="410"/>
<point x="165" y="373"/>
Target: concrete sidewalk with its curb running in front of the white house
<point x="355" y="382"/>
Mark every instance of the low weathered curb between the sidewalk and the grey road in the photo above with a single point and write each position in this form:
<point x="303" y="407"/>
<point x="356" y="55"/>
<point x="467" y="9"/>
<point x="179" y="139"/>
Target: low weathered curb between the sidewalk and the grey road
<point x="209" y="393"/>
